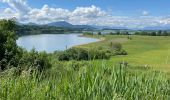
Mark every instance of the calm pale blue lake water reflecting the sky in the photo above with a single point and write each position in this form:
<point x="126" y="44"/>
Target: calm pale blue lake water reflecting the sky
<point x="52" y="42"/>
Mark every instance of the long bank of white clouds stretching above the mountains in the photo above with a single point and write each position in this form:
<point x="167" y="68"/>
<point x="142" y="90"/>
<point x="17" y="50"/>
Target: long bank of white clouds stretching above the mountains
<point x="81" y="15"/>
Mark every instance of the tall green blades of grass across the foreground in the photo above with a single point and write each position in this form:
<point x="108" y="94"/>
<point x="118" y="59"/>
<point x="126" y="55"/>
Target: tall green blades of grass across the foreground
<point x="91" y="82"/>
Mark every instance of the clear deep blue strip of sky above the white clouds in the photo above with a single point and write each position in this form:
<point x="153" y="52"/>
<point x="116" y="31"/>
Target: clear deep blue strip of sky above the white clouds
<point x="120" y="7"/>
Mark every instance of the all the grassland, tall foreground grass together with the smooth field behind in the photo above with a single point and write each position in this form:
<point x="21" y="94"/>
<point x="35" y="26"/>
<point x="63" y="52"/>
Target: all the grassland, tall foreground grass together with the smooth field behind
<point x="99" y="79"/>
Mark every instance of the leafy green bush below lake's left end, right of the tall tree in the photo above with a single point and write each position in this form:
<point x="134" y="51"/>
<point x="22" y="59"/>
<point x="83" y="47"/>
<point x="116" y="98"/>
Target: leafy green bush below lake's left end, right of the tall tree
<point x="34" y="61"/>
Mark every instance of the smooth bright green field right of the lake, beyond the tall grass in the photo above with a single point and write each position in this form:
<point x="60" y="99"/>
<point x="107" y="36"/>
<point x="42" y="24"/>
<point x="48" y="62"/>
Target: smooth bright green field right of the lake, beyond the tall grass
<point x="142" y="50"/>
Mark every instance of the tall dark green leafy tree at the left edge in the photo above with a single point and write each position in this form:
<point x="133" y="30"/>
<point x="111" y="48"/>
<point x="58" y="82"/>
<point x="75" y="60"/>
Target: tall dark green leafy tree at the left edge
<point x="9" y="51"/>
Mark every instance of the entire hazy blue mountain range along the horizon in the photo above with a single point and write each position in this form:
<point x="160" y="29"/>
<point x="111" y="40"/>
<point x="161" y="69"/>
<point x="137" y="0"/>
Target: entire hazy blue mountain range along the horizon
<point x="65" y="24"/>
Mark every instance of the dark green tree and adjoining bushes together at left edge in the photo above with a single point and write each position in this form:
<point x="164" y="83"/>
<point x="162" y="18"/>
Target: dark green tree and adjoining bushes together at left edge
<point x="13" y="56"/>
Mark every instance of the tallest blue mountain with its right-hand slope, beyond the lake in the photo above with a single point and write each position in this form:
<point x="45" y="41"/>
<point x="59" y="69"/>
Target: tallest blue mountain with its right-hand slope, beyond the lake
<point x="68" y="25"/>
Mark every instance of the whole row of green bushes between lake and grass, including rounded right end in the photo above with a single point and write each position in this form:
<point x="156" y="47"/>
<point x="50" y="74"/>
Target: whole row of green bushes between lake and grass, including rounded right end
<point x="92" y="53"/>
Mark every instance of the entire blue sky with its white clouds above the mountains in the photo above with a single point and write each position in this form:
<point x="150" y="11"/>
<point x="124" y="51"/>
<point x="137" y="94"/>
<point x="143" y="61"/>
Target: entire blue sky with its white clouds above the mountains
<point x="129" y="13"/>
